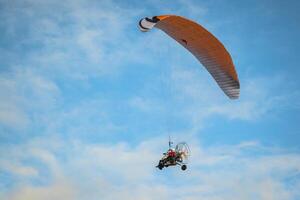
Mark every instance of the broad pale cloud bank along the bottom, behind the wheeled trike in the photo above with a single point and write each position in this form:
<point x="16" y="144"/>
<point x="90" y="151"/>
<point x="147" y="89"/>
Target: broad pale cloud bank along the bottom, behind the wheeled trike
<point x="90" y="171"/>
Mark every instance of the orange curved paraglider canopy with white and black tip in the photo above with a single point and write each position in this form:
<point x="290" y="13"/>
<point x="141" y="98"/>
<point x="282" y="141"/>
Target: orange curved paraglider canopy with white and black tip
<point x="203" y="45"/>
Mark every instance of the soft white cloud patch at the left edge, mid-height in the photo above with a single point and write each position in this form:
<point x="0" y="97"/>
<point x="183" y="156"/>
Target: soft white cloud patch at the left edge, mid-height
<point x="24" y="90"/>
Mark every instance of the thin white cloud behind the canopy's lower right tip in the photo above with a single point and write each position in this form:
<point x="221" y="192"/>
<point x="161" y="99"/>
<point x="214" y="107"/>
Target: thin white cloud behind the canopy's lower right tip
<point x="205" y="99"/>
